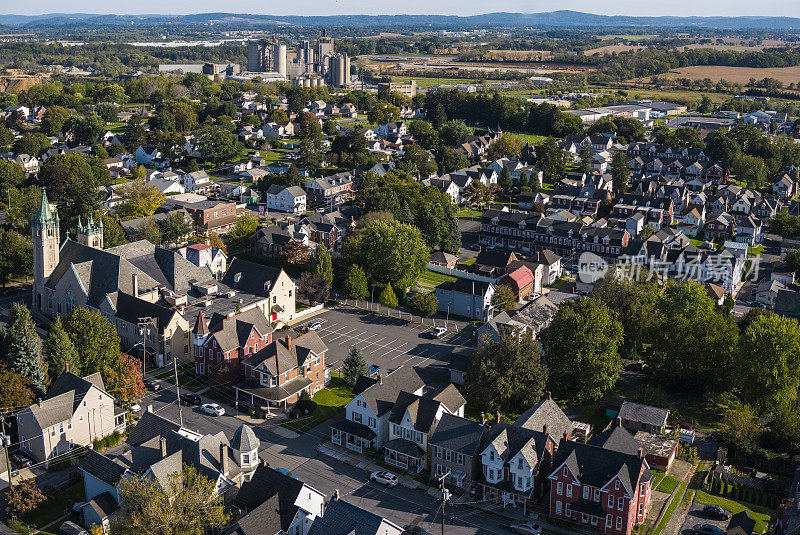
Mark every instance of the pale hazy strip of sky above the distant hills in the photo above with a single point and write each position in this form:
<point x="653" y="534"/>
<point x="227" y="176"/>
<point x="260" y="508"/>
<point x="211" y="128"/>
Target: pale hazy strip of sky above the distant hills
<point x="789" y="8"/>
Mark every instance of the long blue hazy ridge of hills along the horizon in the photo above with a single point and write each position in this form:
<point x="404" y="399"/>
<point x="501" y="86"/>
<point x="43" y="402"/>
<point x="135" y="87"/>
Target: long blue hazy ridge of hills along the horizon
<point x="554" y="19"/>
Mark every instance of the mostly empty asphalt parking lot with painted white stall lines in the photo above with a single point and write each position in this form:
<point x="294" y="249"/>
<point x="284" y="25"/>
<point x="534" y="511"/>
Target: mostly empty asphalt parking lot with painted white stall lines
<point x="384" y="341"/>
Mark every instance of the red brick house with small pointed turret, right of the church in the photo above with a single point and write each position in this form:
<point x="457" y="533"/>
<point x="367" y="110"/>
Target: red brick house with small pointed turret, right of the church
<point x="222" y="344"/>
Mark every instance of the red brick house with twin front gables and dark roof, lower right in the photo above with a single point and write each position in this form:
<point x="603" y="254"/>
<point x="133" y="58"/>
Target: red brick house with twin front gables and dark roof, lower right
<point x="600" y="487"/>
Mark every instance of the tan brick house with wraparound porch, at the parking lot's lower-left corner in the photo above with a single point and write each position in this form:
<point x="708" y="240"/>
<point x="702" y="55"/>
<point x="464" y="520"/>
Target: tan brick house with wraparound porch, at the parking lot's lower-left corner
<point x="276" y="375"/>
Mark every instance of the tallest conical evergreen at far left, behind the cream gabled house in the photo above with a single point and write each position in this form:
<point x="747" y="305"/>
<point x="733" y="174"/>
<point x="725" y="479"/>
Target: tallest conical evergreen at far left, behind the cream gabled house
<point x="24" y="350"/>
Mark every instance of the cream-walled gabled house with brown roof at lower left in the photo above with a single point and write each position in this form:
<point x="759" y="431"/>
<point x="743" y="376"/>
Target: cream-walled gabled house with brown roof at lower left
<point x="75" y="412"/>
